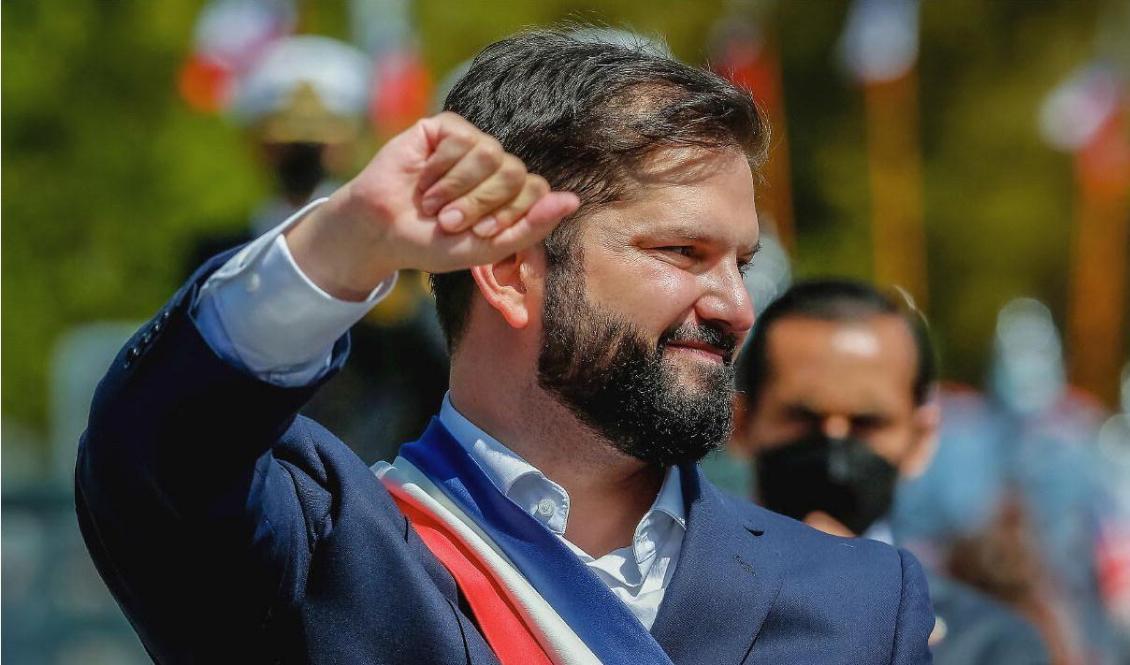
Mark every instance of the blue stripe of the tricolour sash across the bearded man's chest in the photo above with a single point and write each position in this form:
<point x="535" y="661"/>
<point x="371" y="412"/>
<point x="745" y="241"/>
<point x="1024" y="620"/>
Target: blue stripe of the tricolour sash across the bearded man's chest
<point x="583" y="600"/>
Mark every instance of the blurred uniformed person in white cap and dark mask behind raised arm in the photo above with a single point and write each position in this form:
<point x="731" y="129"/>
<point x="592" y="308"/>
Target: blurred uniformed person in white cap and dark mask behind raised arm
<point x="305" y="102"/>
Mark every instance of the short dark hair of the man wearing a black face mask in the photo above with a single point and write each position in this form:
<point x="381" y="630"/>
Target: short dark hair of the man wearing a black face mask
<point x="837" y="300"/>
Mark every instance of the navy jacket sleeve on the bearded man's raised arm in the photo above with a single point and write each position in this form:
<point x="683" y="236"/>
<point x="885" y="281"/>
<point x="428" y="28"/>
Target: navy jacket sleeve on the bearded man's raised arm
<point x="196" y="529"/>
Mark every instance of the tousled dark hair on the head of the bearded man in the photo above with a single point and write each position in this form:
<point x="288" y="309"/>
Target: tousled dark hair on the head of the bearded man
<point x="586" y="115"/>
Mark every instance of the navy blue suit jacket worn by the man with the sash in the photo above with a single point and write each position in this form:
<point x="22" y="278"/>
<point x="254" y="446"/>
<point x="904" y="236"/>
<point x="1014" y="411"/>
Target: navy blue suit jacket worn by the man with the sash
<point x="231" y="530"/>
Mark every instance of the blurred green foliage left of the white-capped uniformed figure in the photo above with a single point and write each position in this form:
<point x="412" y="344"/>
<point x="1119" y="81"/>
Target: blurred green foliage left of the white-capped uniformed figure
<point x="107" y="176"/>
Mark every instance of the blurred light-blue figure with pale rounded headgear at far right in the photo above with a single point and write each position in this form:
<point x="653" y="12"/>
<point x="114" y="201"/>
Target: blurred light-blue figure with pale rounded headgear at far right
<point x="1048" y="434"/>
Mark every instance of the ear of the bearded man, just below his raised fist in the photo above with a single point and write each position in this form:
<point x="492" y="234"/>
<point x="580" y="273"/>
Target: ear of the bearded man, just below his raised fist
<point x="512" y="286"/>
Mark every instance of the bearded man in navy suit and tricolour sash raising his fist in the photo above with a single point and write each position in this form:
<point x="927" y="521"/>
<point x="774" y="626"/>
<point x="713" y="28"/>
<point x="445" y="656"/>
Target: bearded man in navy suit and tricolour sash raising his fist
<point x="553" y="513"/>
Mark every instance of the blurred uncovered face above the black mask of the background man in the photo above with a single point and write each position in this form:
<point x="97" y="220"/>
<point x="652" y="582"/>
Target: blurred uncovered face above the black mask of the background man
<point x="841" y="379"/>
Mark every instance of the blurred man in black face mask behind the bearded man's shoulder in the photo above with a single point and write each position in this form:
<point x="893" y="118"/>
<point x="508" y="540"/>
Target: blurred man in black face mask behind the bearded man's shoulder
<point x="838" y="408"/>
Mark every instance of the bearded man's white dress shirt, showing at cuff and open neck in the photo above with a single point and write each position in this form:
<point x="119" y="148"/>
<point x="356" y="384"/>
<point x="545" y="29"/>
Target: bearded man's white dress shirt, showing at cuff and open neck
<point x="263" y="314"/>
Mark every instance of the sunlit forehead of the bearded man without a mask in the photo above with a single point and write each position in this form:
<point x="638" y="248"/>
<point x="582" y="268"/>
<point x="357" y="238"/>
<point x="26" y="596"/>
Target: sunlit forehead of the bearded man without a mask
<point x="696" y="195"/>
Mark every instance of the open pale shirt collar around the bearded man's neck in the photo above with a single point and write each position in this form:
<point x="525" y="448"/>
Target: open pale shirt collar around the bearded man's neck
<point x="531" y="489"/>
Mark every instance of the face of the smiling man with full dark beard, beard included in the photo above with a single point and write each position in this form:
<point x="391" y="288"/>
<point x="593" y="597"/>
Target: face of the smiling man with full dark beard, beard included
<point x="640" y="338"/>
